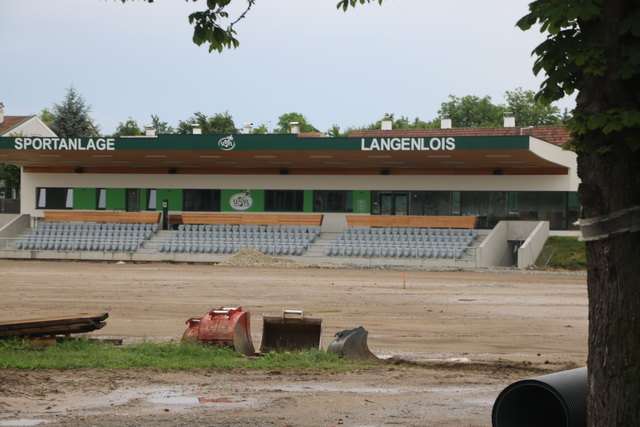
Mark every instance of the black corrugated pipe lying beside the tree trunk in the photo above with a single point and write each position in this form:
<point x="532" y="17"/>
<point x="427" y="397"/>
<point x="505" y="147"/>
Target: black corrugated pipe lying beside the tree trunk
<point x="554" y="400"/>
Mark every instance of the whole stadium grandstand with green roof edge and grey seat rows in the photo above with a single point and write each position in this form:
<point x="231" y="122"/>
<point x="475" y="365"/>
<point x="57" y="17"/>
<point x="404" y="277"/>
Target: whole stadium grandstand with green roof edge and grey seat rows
<point x="462" y="197"/>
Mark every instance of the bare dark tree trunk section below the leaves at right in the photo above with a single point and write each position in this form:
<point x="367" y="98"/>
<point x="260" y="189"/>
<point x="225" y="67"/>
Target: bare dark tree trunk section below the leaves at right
<point x="610" y="183"/>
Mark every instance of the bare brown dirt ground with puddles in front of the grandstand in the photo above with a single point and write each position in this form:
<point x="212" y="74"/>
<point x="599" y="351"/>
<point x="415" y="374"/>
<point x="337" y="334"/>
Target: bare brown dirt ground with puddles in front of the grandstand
<point x="468" y="335"/>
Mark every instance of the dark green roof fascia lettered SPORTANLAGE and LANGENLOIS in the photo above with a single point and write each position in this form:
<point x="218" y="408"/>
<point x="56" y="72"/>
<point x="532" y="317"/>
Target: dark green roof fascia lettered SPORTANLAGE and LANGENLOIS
<point x="269" y="142"/>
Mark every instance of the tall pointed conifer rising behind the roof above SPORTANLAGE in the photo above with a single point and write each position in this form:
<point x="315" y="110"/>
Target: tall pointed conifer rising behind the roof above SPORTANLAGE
<point x="71" y="118"/>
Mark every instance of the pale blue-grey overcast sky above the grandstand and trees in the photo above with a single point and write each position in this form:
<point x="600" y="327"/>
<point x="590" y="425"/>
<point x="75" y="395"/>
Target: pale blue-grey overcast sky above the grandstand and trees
<point x="136" y="59"/>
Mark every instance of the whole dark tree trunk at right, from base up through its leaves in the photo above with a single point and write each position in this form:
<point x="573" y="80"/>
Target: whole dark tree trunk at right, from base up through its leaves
<point x="609" y="166"/>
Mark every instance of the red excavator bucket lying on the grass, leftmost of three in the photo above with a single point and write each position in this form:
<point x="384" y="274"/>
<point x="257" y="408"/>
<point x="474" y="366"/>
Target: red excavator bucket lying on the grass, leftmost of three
<point x="227" y="326"/>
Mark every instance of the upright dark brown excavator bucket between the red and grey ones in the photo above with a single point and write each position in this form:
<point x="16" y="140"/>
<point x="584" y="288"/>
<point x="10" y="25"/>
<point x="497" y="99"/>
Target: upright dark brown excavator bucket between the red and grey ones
<point x="293" y="331"/>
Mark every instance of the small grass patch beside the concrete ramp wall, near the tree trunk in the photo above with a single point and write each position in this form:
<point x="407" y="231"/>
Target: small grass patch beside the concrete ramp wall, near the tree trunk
<point x="562" y="252"/>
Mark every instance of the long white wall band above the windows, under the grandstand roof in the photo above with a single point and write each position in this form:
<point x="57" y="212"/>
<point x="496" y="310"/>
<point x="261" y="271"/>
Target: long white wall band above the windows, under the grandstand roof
<point x="299" y="182"/>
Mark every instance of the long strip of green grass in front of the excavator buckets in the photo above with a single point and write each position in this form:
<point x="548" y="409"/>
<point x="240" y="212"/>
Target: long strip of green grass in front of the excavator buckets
<point x="87" y="354"/>
